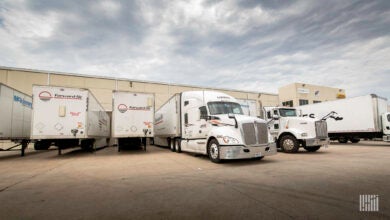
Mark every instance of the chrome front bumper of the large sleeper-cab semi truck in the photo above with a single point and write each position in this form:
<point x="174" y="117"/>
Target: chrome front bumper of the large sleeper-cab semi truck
<point x="244" y="152"/>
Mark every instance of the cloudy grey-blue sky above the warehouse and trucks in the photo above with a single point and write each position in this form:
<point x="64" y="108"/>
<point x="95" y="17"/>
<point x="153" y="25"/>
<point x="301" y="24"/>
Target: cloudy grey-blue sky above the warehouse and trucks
<point x="246" y="45"/>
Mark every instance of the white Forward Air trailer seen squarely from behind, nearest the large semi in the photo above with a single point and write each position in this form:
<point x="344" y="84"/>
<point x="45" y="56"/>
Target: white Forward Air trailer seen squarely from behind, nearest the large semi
<point x="132" y="118"/>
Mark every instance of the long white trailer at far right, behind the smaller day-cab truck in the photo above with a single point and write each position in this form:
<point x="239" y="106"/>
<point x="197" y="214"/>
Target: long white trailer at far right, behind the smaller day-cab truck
<point x="362" y="117"/>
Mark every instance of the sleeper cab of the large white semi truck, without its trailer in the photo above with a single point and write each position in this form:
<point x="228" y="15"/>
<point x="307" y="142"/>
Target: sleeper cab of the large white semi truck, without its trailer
<point x="214" y="124"/>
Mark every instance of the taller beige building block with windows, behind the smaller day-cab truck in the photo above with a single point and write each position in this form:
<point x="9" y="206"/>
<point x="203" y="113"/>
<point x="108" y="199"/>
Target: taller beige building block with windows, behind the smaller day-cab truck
<point x="297" y="94"/>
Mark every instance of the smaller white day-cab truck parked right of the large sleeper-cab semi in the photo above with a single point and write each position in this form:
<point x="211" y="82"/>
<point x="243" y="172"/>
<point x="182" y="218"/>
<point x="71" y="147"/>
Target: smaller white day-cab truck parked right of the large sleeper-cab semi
<point x="290" y="131"/>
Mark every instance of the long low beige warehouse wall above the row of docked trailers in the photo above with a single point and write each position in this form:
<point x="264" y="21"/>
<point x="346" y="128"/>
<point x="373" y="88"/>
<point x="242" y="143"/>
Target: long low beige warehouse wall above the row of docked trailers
<point x="102" y="87"/>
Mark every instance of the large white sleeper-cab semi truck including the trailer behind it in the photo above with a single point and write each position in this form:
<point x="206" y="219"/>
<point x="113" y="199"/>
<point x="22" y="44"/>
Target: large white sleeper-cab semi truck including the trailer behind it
<point x="213" y="124"/>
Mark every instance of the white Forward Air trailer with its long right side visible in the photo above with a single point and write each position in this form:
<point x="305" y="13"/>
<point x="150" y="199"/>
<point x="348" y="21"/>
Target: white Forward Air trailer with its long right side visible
<point x="67" y="117"/>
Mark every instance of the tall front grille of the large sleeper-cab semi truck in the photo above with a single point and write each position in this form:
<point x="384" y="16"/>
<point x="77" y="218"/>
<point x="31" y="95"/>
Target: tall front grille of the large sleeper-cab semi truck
<point x="255" y="133"/>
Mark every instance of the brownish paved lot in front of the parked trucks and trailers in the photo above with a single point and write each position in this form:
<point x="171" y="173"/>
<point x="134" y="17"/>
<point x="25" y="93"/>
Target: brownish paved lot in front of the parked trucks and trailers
<point x="160" y="184"/>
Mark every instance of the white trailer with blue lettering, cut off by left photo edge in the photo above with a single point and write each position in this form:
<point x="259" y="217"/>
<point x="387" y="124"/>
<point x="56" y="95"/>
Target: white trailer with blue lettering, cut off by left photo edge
<point x="15" y="117"/>
